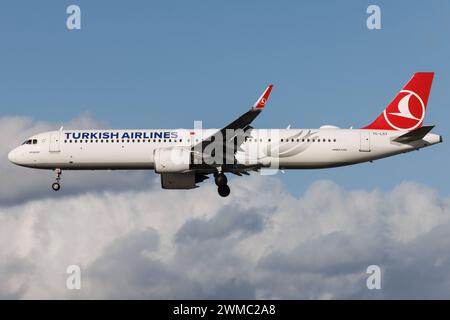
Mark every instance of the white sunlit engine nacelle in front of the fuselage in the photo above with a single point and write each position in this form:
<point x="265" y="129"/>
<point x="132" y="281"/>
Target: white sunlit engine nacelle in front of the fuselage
<point x="172" y="160"/>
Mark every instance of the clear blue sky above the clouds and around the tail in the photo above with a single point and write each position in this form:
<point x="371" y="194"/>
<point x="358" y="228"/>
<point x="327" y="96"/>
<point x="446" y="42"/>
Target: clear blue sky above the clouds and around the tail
<point x="144" y="64"/>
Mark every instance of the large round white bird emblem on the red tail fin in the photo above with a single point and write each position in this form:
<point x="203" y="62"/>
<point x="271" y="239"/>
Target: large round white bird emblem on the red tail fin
<point x="406" y="112"/>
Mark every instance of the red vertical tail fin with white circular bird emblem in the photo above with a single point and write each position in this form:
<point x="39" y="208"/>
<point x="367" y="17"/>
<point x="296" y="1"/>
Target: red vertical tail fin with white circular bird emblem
<point x="407" y="110"/>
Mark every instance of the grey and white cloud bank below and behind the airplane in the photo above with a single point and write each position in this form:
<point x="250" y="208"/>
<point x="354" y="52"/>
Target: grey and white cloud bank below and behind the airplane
<point x="261" y="242"/>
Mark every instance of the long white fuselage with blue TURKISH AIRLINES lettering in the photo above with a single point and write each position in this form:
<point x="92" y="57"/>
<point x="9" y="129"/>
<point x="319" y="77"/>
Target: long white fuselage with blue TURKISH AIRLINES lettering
<point x="281" y="148"/>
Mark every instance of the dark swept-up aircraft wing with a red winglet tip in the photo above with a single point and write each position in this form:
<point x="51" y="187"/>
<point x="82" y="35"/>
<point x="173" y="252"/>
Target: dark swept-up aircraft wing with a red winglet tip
<point x="242" y="123"/>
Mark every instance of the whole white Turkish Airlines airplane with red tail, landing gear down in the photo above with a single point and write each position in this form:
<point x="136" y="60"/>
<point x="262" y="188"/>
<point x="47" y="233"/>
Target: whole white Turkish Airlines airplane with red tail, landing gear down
<point x="186" y="157"/>
